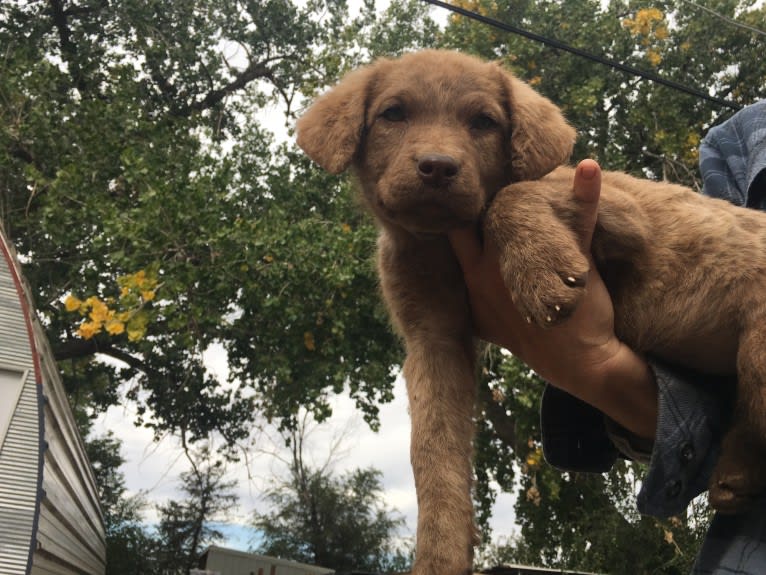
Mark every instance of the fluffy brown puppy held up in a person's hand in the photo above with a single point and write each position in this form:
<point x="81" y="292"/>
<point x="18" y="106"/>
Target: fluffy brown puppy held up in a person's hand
<point x="436" y="139"/>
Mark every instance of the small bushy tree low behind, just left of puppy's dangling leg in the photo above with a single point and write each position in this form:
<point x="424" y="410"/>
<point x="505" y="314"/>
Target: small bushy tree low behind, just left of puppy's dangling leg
<point x="337" y="522"/>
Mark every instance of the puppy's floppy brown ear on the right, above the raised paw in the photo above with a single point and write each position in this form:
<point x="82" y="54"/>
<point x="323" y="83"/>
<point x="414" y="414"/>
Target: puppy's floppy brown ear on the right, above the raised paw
<point x="541" y="139"/>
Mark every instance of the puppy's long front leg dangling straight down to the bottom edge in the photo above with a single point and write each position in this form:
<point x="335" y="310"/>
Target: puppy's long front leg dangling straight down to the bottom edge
<point x="424" y="290"/>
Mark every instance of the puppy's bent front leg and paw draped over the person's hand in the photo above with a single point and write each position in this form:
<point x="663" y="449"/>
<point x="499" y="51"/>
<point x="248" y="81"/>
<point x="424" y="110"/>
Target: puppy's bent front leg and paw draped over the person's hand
<point x="542" y="264"/>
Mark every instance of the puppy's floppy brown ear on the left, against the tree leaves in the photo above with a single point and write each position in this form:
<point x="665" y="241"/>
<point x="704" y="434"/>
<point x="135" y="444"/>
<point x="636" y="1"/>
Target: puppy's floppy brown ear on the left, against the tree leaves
<point x="330" y="131"/>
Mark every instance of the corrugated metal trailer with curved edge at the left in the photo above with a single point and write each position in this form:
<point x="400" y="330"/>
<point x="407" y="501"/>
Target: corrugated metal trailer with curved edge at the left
<point x="50" y="517"/>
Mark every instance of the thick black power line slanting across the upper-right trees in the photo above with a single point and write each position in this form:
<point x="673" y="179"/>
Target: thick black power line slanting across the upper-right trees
<point x="583" y="54"/>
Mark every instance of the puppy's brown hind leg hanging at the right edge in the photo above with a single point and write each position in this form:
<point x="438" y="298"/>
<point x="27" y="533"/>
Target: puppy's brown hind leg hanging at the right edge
<point x="740" y="473"/>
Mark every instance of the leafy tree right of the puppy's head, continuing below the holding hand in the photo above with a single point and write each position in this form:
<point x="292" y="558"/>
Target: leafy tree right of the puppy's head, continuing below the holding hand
<point x="572" y="520"/>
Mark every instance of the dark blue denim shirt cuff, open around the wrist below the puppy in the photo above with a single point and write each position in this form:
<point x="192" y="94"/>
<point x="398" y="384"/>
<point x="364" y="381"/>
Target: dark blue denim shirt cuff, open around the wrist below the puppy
<point x="577" y="437"/>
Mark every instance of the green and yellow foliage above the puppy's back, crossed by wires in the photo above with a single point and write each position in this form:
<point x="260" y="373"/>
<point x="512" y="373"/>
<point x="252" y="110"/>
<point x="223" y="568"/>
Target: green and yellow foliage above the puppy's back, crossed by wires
<point x="624" y="122"/>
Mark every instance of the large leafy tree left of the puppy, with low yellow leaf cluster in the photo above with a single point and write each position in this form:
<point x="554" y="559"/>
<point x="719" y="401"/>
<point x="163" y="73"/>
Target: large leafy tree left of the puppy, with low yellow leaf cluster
<point x="156" y="218"/>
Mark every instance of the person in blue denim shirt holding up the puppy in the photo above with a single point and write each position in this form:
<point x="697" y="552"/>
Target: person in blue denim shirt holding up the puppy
<point x="656" y="413"/>
